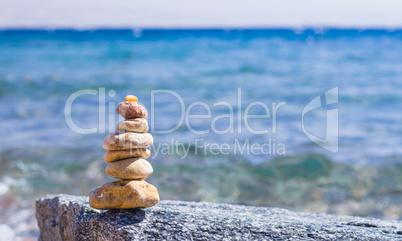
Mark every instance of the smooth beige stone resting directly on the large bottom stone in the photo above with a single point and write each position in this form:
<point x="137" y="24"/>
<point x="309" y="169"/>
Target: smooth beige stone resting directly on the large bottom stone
<point x="131" y="169"/>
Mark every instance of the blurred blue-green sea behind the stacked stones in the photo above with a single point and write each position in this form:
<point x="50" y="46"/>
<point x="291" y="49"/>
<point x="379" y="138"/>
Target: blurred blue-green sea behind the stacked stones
<point x="40" y="154"/>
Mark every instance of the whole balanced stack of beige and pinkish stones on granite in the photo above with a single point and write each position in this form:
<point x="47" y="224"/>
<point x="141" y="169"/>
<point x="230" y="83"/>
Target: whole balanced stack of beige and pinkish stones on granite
<point x="126" y="157"/>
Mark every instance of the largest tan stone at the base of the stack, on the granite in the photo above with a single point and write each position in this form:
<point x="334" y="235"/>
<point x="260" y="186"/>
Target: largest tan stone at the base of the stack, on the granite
<point x="124" y="194"/>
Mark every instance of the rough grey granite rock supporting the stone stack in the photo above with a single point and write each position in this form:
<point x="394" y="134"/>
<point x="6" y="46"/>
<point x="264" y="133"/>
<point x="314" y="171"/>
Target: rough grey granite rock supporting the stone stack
<point x="64" y="217"/>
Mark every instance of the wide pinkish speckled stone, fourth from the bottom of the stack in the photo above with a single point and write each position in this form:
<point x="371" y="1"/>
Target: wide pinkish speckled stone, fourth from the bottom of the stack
<point x="126" y="141"/>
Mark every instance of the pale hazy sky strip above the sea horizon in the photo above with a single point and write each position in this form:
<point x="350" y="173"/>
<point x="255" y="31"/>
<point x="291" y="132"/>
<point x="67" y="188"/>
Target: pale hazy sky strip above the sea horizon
<point x="199" y="13"/>
